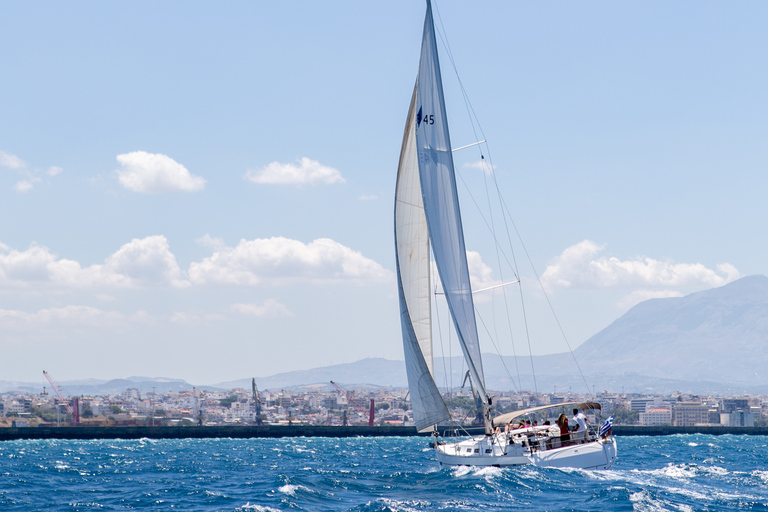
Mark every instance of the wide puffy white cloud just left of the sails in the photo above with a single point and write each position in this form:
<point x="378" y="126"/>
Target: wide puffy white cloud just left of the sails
<point x="278" y="259"/>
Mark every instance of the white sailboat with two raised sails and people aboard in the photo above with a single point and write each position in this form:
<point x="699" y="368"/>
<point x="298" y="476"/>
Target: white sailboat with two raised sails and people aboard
<point x="427" y="217"/>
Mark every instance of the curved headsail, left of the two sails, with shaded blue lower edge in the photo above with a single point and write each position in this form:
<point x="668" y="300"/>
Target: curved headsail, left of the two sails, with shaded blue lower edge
<point x="412" y="254"/>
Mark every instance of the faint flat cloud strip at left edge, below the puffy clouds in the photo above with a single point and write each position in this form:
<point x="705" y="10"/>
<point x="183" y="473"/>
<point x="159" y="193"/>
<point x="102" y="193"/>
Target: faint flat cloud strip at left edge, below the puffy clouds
<point x="67" y="316"/>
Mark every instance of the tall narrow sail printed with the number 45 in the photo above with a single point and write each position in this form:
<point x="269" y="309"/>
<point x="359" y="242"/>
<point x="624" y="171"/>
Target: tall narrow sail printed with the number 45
<point x="441" y="202"/>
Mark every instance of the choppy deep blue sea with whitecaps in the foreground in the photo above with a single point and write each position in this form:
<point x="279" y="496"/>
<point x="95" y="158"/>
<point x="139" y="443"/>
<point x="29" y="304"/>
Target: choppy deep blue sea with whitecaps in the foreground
<point x="680" y="473"/>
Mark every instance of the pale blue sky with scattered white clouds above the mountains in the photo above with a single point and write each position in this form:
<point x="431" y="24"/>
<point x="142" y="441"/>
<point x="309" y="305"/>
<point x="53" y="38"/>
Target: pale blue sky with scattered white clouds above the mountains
<point x="205" y="191"/>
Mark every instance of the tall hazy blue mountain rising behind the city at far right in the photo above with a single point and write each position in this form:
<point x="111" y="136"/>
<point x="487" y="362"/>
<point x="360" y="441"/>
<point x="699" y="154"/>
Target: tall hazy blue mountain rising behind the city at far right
<point x="718" y="335"/>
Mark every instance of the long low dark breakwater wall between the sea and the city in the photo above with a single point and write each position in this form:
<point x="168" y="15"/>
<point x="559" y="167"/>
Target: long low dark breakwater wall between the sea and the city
<point x="273" y="431"/>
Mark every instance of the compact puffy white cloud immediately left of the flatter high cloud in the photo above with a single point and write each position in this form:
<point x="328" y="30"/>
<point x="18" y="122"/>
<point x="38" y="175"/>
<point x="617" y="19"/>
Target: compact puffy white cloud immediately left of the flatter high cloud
<point x="154" y="173"/>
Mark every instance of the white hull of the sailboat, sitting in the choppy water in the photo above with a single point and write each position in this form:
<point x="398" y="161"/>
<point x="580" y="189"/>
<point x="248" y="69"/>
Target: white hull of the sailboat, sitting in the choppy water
<point x="497" y="451"/>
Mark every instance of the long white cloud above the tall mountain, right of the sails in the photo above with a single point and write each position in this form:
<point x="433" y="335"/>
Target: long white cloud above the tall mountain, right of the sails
<point x="581" y="266"/>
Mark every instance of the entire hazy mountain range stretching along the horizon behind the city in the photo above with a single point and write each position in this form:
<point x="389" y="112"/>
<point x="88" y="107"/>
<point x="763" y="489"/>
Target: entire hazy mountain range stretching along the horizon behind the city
<point x="714" y="341"/>
